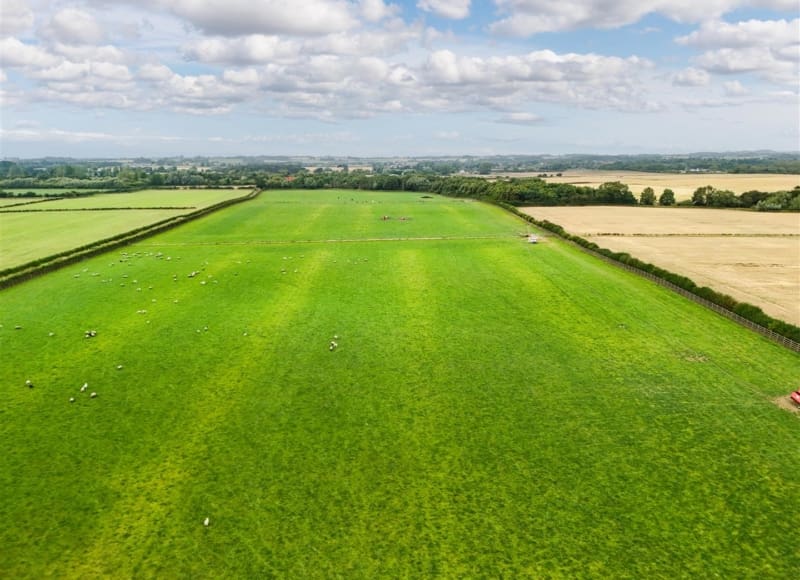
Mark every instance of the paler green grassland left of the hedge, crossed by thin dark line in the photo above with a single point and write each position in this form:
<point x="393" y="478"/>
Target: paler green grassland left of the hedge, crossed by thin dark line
<point x="35" y="232"/>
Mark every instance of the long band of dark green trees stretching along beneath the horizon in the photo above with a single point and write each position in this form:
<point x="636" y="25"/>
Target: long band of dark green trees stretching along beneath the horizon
<point x="510" y="190"/>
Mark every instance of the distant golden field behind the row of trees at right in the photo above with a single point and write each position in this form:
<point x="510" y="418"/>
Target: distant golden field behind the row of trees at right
<point x="683" y="184"/>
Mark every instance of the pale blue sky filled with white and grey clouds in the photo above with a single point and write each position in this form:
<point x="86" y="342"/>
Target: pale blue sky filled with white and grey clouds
<point x="117" y="78"/>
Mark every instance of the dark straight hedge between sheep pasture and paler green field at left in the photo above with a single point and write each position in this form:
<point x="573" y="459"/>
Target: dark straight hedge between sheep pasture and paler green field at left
<point x="21" y="273"/>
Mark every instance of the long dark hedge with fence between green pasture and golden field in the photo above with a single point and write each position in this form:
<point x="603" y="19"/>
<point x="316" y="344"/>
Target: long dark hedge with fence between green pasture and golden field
<point x="704" y="296"/>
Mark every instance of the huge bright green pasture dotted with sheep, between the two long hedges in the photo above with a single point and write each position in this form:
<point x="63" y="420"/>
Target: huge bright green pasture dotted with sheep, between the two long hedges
<point x="493" y="409"/>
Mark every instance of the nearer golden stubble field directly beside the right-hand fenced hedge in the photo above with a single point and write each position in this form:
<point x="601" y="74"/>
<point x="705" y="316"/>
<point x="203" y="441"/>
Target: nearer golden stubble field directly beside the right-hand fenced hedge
<point x="752" y="256"/>
